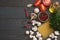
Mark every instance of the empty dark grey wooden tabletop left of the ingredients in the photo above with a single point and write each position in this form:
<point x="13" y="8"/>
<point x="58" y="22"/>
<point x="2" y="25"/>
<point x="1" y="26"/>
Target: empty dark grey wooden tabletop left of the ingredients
<point x="12" y="19"/>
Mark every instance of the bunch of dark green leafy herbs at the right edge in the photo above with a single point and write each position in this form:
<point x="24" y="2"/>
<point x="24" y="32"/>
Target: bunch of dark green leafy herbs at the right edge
<point x="55" y="20"/>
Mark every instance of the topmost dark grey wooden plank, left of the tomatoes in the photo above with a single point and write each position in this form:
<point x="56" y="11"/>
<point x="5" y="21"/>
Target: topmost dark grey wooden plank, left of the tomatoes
<point x="14" y="3"/>
